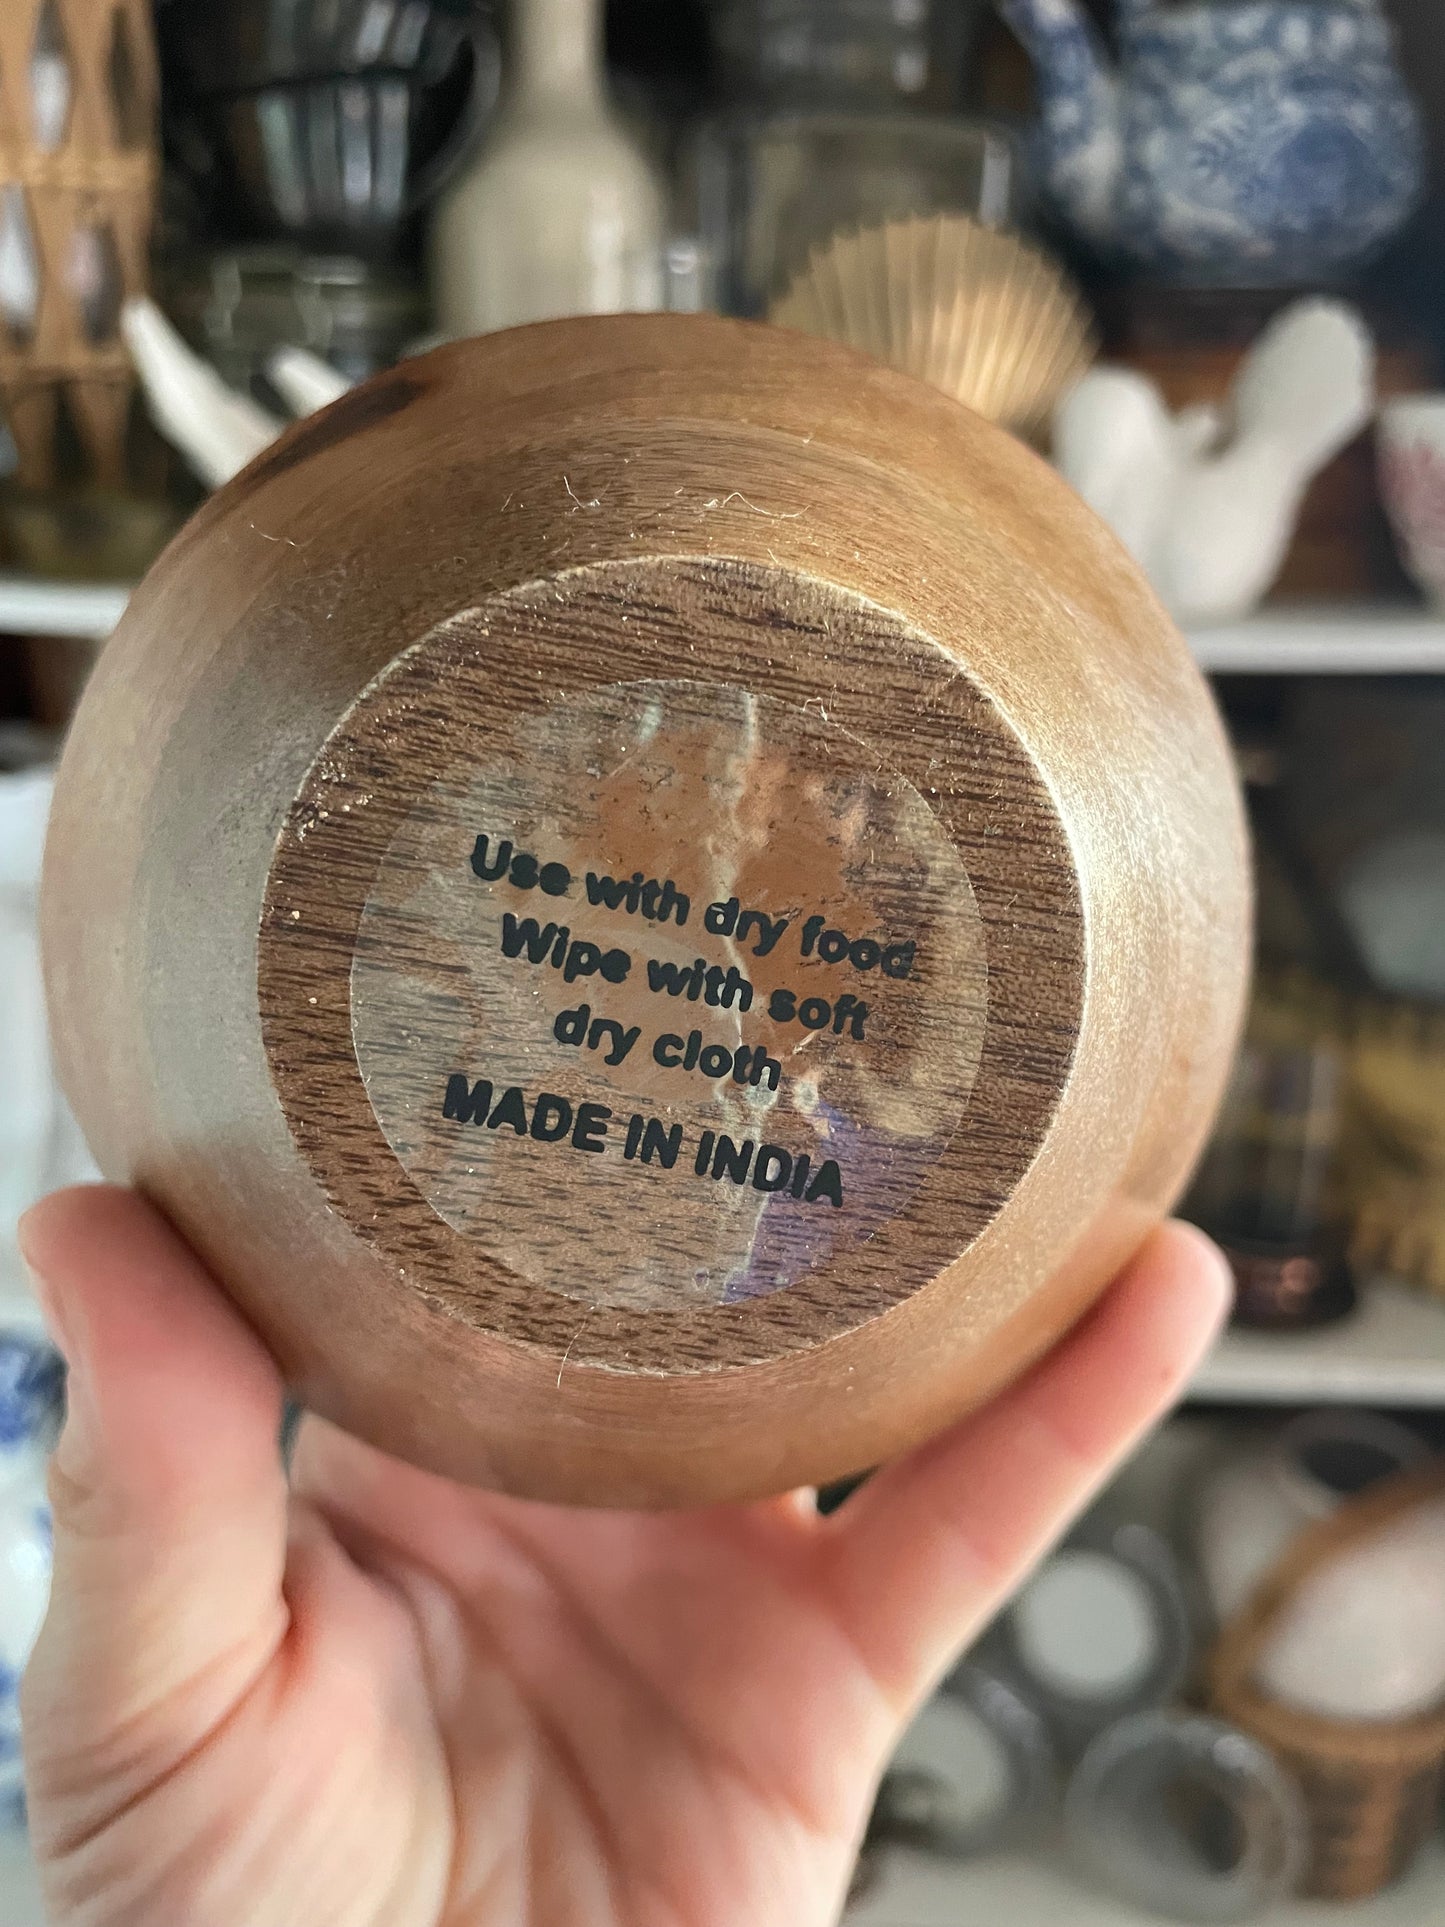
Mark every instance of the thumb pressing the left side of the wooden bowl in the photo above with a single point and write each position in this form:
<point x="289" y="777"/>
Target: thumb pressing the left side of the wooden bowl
<point x="169" y="1508"/>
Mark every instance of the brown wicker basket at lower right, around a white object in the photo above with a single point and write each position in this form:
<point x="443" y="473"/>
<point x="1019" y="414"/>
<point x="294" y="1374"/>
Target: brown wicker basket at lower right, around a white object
<point x="1373" y="1791"/>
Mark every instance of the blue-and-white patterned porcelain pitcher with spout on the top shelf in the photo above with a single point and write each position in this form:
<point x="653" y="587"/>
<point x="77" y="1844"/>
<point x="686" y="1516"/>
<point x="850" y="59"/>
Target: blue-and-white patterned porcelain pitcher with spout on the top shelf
<point x="1236" y="142"/>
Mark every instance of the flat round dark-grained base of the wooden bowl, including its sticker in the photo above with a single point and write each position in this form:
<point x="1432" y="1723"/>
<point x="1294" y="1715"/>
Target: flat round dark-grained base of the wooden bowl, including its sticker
<point x="685" y="943"/>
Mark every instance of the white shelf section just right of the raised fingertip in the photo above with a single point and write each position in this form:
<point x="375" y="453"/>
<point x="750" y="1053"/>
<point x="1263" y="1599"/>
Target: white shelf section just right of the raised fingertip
<point x="1388" y="1352"/>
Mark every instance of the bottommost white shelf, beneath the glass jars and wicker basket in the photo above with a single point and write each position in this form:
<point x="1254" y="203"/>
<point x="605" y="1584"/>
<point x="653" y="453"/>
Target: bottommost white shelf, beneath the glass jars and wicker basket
<point x="918" y="1891"/>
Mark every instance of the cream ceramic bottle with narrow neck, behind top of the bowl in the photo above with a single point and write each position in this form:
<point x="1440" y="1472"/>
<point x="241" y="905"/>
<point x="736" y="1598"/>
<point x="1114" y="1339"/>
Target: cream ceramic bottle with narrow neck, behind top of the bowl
<point x="562" y="211"/>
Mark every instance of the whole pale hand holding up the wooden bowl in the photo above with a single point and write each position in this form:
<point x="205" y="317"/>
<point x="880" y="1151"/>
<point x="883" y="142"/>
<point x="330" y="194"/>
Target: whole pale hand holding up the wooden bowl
<point x="375" y="1699"/>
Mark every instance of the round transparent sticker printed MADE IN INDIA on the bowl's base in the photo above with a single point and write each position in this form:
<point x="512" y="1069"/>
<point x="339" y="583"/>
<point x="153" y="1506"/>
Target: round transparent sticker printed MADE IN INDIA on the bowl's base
<point x="673" y="997"/>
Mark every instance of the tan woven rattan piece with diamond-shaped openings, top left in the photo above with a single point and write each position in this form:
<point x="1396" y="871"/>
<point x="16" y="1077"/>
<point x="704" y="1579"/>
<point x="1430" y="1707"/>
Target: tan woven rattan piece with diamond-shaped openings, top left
<point x="78" y="182"/>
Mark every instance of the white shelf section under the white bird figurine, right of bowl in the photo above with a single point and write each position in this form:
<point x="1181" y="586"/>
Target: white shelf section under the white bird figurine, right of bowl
<point x="1328" y="641"/>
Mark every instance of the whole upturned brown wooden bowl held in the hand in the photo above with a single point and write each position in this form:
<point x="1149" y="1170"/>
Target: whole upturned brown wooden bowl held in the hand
<point x="662" y="903"/>
